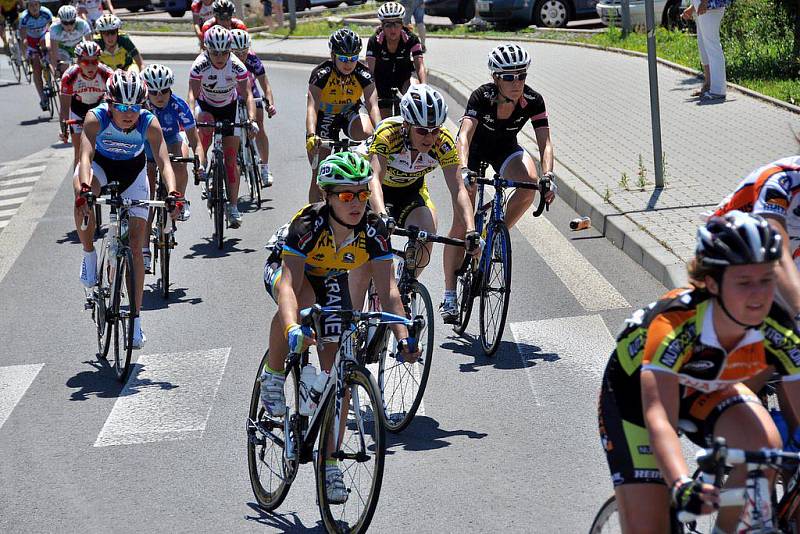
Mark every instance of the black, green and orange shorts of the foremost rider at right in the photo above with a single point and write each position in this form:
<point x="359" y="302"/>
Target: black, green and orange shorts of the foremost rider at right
<point x="627" y="444"/>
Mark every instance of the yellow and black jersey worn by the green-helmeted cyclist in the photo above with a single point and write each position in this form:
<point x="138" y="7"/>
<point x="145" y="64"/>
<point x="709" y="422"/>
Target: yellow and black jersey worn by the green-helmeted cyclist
<point x="309" y="236"/>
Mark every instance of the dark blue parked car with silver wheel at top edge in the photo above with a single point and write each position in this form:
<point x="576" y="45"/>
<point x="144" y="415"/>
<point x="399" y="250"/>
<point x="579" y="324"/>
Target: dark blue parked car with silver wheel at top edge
<point x="543" y="13"/>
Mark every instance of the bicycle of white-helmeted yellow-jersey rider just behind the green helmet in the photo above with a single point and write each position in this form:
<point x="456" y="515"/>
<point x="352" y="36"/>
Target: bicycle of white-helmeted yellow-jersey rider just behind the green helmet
<point x="402" y="383"/>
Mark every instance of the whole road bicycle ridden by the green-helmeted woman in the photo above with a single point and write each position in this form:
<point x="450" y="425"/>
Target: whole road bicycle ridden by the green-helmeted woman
<point x="347" y="425"/>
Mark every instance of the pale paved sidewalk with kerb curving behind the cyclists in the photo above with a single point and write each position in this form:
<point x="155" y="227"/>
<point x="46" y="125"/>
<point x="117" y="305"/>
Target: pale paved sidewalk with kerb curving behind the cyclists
<point x="598" y="104"/>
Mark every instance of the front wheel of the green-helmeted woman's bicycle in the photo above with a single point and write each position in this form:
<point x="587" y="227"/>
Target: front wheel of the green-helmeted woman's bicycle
<point x="360" y="453"/>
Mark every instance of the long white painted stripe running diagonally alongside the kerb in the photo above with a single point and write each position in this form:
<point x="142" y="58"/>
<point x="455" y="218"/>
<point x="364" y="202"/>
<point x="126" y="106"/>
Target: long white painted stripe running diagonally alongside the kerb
<point x="589" y="287"/>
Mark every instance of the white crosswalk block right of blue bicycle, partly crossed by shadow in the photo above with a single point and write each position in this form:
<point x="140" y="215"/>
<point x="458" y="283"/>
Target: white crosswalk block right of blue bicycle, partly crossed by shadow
<point x="583" y="342"/>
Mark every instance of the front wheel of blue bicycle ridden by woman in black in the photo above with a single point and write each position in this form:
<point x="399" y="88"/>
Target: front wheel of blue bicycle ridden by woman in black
<point x="496" y="290"/>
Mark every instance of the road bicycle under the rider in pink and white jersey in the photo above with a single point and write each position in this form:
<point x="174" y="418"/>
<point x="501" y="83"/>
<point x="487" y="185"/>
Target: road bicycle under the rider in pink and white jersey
<point x="217" y="188"/>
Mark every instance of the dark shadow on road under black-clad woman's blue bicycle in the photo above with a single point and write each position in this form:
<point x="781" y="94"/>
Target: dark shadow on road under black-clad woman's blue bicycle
<point x="509" y="356"/>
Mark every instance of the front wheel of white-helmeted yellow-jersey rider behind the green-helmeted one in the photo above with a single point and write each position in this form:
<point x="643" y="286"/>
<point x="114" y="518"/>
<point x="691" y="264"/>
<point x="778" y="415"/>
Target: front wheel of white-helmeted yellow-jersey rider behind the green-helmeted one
<point x="403" y="384"/>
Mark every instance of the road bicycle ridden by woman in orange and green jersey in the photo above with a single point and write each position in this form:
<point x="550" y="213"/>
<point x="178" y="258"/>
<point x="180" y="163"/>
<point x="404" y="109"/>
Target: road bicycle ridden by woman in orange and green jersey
<point x="758" y="514"/>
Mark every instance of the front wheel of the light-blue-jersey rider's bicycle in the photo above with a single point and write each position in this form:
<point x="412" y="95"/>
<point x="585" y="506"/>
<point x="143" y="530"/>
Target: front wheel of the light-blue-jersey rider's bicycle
<point x="123" y="310"/>
